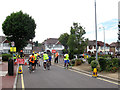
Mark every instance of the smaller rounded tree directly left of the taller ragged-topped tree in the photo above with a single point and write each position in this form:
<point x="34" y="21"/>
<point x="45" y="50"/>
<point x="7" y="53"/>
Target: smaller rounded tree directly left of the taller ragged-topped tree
<point x="64" y="39"/>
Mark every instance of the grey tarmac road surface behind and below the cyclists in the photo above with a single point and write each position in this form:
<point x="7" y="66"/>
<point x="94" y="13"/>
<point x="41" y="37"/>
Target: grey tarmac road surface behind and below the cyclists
<point x="58" y="77"/>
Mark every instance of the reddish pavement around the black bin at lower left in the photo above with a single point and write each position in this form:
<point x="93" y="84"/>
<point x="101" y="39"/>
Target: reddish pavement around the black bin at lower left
<point x="6" y="81"/>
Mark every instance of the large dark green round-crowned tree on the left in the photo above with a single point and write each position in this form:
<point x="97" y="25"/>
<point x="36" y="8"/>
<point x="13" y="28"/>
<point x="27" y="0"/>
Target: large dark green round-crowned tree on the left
<point x="20" y="28"/>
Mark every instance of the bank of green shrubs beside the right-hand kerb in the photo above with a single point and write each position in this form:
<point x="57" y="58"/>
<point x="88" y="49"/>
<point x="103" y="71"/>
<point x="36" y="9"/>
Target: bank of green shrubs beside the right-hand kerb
<point x="104" y="64"/>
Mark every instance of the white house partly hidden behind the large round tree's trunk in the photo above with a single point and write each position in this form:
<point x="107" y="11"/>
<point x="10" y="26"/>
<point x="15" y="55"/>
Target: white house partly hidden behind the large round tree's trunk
<point x="5" y="46"/>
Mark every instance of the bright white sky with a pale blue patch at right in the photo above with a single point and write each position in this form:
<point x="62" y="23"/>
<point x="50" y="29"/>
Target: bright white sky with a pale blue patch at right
<point x="55" y="17"/>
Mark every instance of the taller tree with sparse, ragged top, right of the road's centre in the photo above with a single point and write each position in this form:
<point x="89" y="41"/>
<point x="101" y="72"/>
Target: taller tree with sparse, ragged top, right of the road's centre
<point x="76" y="42"/>
